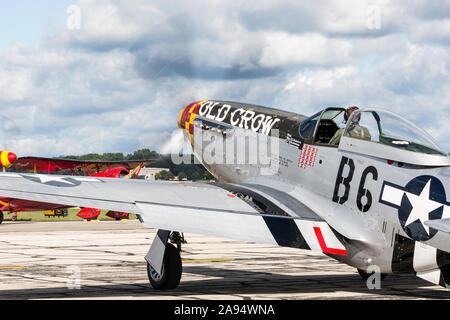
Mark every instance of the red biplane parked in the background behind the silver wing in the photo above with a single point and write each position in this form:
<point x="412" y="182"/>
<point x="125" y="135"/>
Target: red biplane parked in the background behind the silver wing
<point x="106" y="169"/>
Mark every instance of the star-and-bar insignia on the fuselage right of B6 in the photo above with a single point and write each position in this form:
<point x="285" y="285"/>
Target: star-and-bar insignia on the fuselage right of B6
<point x="422" y="199"/>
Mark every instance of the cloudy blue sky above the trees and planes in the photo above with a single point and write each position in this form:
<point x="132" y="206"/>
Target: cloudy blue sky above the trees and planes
<point x="111" y="76"/>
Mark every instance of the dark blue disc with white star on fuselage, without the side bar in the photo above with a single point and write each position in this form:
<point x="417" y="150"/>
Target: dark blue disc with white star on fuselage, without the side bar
<point x="416" y="188"/>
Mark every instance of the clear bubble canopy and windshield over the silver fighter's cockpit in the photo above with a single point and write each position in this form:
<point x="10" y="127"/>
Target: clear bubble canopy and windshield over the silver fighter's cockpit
<point x="375" y="132"/>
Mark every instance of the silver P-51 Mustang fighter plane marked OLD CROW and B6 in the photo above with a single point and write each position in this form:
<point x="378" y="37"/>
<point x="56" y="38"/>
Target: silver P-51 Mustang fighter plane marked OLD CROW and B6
<point x="377" y="198"/>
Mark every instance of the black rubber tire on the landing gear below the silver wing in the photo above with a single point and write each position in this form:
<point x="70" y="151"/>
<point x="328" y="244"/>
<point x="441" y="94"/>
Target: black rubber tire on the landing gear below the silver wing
<point x="171" y="270"/>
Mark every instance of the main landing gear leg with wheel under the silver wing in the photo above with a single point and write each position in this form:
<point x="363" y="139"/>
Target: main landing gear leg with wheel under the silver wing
<point x="164" y="267"/>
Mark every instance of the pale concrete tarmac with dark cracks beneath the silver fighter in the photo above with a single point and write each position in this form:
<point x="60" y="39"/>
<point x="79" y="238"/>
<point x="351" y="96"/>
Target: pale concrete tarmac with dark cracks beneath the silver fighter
<point x="50" y="260"/>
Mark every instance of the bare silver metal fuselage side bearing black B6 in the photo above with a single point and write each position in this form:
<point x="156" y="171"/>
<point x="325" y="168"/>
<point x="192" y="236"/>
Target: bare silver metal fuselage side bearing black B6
<point x="373" y="231"/>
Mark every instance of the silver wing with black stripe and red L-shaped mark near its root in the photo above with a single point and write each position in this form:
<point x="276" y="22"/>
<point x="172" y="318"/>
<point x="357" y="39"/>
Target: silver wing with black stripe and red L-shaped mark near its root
<point x="217" y="210"/>
